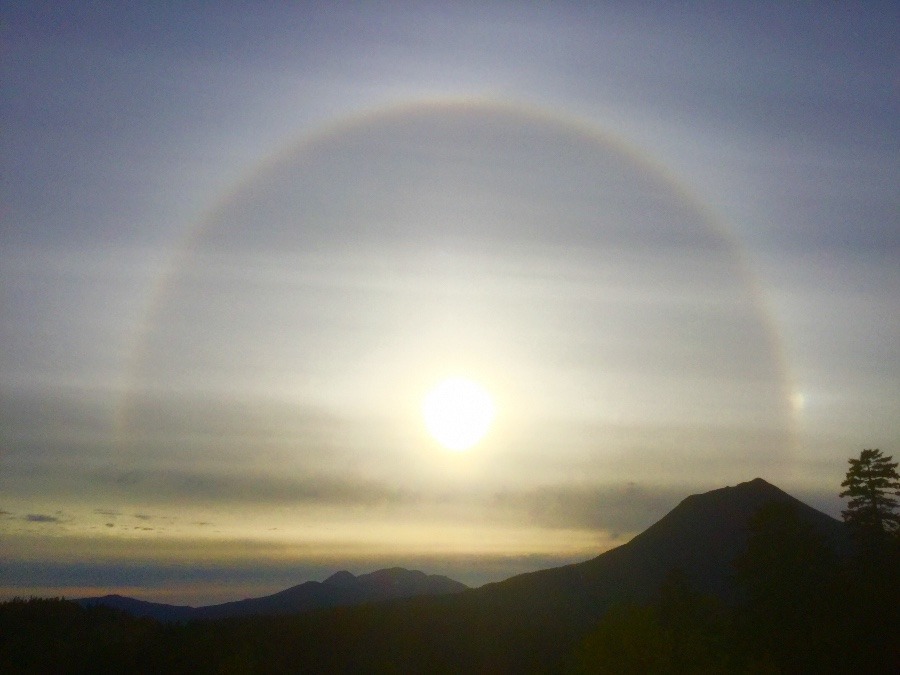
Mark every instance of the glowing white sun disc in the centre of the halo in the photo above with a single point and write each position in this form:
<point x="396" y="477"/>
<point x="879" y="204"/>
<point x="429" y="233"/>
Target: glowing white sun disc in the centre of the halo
<point x="458" y="413"/>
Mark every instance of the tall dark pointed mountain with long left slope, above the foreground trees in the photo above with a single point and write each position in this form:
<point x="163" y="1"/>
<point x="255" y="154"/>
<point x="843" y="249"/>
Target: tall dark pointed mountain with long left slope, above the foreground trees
<point x="700" y="537"/>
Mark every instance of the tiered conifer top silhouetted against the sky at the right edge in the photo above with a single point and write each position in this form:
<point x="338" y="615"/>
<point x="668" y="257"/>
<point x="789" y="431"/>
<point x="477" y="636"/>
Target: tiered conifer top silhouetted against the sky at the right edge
<point x="872" y="484"/>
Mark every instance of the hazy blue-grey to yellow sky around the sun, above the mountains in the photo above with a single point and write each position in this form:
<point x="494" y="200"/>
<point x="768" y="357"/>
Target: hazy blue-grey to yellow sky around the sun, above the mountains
<point x="239" y="243"/>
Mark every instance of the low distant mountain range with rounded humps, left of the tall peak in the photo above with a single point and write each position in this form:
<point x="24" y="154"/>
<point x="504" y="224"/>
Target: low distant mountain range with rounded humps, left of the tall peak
<point x="339" y="590"/>
